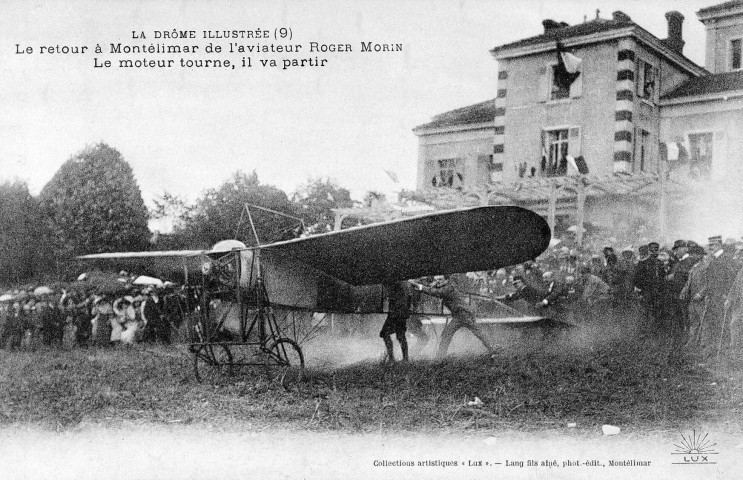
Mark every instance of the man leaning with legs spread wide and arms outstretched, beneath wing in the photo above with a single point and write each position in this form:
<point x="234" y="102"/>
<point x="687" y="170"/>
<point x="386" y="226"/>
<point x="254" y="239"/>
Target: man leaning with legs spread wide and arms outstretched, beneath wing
<point x="461" y="314"/>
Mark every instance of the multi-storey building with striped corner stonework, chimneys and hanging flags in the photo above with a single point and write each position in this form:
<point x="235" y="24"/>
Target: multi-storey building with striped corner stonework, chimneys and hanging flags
<point x="630" y="107"/>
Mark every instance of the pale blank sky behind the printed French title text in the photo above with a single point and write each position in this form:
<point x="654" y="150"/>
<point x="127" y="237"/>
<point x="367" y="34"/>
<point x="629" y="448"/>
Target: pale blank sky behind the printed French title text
<point x="184" y="130"/>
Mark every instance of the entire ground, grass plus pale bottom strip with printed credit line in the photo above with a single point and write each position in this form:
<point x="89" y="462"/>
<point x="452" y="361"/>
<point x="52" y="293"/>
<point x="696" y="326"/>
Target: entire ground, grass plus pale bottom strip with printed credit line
<point x="139" y="413"/>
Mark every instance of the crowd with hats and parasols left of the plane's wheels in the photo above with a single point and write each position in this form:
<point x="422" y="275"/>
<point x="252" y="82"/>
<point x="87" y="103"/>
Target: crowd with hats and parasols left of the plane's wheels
<point x="88" y="313"/>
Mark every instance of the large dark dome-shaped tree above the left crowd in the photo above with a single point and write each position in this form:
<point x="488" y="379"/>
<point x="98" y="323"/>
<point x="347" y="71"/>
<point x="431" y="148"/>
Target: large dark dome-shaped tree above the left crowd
<point x="93" y="204"/>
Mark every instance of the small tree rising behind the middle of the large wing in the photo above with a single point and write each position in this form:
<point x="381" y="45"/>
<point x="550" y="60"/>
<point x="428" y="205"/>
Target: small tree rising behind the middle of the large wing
<point x="317" y="198"/>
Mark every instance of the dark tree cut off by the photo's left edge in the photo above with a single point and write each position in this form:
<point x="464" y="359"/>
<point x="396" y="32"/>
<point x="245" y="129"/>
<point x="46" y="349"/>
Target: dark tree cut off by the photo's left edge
<point x="23" y="252"/>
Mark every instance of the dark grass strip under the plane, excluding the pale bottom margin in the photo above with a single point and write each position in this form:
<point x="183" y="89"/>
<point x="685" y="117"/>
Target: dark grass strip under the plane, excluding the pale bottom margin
<point x="640" y="386"/>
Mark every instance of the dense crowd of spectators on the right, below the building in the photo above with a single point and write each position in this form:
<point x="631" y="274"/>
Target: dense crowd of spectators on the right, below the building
<point x="686" y="292"/>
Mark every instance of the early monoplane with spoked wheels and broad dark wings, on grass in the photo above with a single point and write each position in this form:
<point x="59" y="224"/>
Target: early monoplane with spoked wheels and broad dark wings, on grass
<point x="252" y="296"/>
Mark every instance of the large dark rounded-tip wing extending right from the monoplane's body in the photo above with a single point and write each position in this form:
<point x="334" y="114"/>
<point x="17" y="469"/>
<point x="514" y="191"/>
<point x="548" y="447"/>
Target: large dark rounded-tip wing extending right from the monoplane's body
<point x="466" y="240"/>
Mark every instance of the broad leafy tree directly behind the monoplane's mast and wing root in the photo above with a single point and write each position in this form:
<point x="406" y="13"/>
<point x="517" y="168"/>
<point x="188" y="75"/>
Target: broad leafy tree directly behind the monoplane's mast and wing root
<point x="219" y="213"/>
